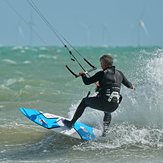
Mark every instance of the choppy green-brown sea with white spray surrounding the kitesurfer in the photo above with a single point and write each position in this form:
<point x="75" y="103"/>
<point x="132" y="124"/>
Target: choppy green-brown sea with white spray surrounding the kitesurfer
<point x="36" y="77"/>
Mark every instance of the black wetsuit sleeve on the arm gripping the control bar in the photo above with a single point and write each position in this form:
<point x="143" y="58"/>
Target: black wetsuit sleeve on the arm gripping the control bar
<point x="93" y="79"/>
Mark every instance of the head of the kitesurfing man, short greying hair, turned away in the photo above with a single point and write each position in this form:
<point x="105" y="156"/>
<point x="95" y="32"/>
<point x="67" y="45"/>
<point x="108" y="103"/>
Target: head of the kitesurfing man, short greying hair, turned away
<point x="106" y="61"/>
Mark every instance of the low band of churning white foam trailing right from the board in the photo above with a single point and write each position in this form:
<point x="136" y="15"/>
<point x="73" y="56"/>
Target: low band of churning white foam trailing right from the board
<point x="126" y="135"/>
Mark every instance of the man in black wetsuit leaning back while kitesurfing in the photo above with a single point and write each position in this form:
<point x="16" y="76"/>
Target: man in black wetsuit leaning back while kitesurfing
<point x="108" y="98"/>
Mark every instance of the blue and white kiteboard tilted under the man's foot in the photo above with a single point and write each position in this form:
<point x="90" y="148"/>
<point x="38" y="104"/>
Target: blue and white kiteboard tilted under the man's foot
<point x="55" y="123"/>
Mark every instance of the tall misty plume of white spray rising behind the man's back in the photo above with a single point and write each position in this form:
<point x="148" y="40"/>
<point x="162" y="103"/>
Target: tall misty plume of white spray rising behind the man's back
<point x="143" y="107"/>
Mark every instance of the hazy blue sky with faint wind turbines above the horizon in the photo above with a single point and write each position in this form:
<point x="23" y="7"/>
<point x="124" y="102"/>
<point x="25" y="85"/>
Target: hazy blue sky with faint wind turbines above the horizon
<point x="83" y="22"/>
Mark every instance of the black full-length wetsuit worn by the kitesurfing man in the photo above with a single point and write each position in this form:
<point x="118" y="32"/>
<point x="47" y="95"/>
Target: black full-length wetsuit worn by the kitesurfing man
<point x="109" y="80"/>
